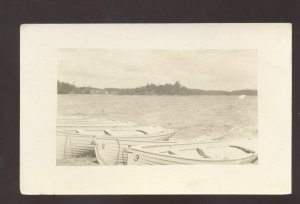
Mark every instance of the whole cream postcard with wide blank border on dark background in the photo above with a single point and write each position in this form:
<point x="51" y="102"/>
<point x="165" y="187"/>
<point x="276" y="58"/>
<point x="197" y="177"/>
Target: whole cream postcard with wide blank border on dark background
<point x="143" y="109"/>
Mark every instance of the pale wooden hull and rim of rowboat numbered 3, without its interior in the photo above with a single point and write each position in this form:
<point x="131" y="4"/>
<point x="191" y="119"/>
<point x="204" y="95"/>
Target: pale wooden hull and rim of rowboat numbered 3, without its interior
<point x="144" y="156"/>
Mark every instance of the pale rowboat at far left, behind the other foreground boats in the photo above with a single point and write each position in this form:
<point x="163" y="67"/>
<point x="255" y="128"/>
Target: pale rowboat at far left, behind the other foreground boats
<point x="77" y="142"/>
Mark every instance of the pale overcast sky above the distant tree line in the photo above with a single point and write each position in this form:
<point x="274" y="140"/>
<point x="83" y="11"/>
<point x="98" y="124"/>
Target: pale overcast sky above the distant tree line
<point x="203" y="69"/>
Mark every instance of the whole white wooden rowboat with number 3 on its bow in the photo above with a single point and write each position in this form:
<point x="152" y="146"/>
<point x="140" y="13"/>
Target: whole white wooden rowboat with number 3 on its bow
<point x="209" y="152"/>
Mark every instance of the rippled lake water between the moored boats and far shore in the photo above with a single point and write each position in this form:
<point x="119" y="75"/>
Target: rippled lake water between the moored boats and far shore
<point x="191" y="116"/>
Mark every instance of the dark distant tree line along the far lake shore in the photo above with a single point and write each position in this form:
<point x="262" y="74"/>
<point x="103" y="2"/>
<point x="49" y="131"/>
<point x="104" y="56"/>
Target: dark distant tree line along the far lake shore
<point x="149" y="89"/>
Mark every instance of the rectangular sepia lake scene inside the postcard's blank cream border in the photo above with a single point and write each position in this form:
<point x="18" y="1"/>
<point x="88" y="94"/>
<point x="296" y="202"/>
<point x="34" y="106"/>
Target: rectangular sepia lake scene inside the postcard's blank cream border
<point x="156" y="107"/>
